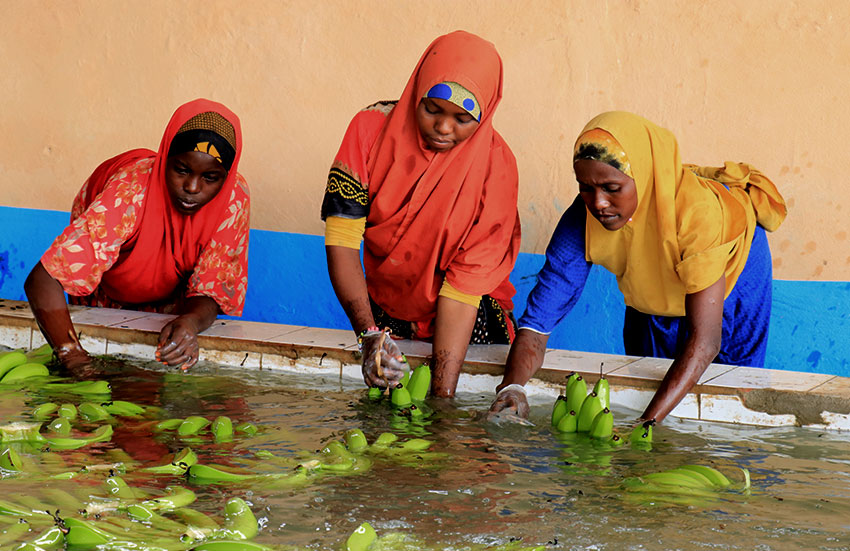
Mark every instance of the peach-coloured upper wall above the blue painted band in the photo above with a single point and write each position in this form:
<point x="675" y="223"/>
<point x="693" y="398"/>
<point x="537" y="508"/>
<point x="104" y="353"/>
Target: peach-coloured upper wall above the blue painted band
<point x="762" y="81"/>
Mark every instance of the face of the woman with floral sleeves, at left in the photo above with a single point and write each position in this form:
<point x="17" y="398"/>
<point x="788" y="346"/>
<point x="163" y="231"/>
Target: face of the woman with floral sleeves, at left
<point x="193" y="179"/>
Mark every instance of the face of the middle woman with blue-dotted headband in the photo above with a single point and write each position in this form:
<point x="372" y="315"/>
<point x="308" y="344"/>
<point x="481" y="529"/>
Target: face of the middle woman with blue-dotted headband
<point x="443" y="124"/>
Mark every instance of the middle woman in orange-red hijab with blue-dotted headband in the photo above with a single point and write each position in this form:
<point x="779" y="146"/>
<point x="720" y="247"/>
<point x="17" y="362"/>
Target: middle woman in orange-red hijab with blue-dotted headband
<point x="431" y="188"/>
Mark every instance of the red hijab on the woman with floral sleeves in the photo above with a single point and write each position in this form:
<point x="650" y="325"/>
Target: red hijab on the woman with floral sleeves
<point x="163" y="251"/>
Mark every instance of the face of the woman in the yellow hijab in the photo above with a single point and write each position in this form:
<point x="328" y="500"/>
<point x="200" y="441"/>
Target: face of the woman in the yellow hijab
<point x="610" y="195"/>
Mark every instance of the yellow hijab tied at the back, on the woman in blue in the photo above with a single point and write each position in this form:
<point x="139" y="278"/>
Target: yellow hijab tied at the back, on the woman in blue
<point x="691" y="226"/>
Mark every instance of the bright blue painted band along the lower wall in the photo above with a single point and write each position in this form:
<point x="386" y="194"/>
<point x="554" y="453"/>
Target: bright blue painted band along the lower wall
<point x="288" y="283"/>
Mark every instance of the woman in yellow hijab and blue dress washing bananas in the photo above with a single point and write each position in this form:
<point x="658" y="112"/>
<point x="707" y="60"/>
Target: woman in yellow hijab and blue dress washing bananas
<point x="686" y="243"/>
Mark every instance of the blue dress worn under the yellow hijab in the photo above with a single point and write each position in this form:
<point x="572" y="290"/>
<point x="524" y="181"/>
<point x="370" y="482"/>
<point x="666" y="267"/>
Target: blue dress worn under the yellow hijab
<point x="746" y="311"/>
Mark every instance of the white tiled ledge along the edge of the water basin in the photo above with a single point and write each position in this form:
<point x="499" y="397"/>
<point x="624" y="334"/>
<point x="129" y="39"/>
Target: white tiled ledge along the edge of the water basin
<point x="750" y="396"/>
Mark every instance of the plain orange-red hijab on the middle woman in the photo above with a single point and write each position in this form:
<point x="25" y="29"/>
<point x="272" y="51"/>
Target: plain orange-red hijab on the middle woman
<point x="442" y="215"/>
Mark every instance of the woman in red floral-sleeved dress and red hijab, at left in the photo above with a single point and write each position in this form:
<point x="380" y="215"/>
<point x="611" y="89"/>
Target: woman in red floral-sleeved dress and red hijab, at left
<point x="163" y="231"/>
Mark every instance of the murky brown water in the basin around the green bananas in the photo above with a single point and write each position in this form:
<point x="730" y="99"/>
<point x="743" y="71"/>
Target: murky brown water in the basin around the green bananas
<point x="488" y="484"/>
